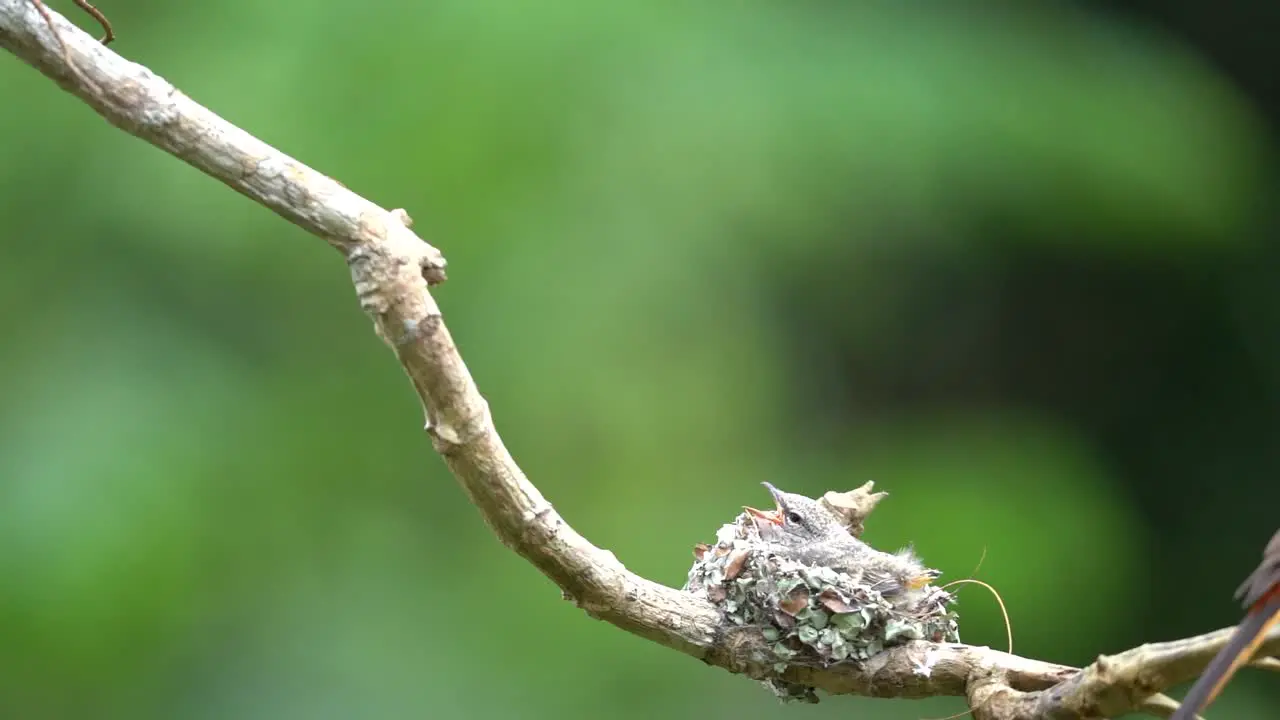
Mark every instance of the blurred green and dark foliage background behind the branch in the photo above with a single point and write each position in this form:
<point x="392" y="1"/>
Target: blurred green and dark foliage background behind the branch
<point x="1012" y="261"/>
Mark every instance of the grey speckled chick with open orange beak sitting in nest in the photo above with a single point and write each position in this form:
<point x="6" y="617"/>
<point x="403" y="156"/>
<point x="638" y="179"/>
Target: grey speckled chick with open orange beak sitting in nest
<point x="807" y="531"/>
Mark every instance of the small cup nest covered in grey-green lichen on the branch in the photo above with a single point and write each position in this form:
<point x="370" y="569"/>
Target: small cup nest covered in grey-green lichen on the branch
<point x="810" y="614"/>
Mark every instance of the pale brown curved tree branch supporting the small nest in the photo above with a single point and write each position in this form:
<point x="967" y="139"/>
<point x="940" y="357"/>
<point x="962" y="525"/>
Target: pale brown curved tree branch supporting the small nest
<point x="392" y="270"/>
